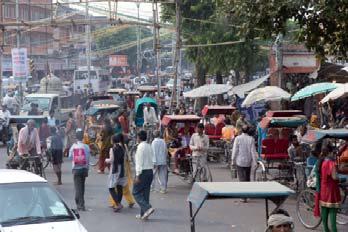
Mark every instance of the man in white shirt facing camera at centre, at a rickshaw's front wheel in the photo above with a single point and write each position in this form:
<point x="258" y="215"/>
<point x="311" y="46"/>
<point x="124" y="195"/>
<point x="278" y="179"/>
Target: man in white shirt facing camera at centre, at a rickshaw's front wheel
<point x="199" y="144"/>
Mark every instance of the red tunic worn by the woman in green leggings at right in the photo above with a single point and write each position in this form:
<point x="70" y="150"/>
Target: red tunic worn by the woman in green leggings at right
<point x="329" y="190"/>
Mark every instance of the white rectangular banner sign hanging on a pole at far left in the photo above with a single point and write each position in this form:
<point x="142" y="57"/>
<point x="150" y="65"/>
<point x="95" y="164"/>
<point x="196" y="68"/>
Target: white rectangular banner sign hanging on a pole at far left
<point x="19" y="63"/>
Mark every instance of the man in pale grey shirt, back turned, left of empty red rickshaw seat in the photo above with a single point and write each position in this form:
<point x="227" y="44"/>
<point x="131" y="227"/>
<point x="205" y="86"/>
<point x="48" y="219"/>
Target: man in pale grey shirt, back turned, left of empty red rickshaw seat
<point x="244" y="155"/>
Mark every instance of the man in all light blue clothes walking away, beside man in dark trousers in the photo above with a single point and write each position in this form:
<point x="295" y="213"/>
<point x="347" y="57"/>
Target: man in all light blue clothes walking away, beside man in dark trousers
<point x="160" y="151"/>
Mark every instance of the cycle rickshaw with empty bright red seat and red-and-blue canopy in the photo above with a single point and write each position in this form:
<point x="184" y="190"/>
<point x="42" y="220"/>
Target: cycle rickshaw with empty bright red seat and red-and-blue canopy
<point x="274" y="162"/>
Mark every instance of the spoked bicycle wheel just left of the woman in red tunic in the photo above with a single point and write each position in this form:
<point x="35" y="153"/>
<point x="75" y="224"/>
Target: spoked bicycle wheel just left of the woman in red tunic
<point x="305" y="207"/>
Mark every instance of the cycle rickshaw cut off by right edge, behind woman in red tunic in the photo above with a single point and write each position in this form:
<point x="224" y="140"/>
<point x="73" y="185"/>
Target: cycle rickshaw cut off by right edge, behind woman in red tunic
<point x="306" y="199"/>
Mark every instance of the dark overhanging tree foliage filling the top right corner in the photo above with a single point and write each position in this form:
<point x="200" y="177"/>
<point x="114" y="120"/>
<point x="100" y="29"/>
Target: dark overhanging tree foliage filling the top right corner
<point x="323" y="24"/>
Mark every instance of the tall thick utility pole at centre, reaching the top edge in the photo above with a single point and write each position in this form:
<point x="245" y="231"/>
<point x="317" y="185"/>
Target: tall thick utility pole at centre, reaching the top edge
<point x="177" y="51"/>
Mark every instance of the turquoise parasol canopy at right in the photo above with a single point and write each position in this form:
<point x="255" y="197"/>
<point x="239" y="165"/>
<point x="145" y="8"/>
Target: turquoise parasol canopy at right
<point x="314" y="89"/>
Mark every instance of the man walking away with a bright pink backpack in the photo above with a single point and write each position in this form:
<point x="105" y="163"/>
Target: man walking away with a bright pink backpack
<point x="79" y="153"/>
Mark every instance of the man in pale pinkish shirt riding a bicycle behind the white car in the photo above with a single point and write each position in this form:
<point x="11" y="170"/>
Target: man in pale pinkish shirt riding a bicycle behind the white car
<point x="28" y="143"/>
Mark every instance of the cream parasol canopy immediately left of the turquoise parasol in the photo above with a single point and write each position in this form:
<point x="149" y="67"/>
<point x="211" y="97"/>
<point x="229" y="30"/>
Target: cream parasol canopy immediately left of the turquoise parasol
<point x="268" y="93"/>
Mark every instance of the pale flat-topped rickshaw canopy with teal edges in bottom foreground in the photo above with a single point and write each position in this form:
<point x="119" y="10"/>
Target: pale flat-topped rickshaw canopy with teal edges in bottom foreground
<point x="201" y="192"/>
